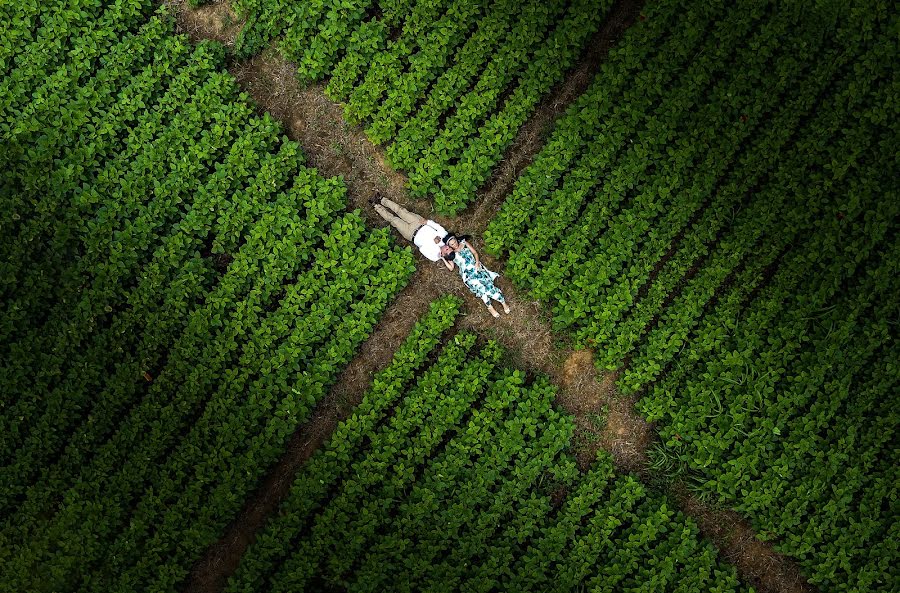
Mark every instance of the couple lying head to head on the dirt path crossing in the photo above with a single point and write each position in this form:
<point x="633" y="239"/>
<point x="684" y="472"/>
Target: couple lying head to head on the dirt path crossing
<point x="437" y="244"/>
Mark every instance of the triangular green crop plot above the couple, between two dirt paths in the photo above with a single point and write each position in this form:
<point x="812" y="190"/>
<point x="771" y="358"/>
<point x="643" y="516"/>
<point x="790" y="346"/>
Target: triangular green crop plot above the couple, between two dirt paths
<point x="446" y="85"/>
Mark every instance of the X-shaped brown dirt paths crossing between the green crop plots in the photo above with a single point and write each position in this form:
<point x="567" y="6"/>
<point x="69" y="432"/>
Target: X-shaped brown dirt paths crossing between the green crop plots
<point x="603" y="417"/>
